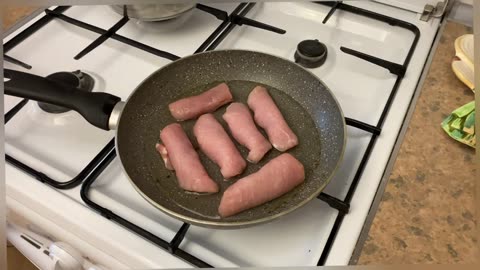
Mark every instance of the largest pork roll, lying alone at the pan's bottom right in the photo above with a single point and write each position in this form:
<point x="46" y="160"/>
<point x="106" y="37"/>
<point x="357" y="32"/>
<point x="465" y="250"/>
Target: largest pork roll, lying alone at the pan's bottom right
<point x="279" y="176"/>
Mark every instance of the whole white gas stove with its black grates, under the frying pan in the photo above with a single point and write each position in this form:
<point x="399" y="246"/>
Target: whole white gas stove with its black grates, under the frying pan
<point x="60" y="146"/>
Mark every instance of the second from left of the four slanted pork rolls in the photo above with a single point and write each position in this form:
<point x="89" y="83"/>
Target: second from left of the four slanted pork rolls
<point x="217" y="145"/>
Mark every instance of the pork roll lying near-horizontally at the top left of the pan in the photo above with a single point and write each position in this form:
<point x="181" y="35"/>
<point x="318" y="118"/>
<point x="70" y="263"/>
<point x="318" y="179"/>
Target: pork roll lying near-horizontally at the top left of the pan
<point x="206" y="102"/>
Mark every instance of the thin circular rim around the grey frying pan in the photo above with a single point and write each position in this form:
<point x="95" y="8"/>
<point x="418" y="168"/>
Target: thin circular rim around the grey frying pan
<point x="233" y="224"/>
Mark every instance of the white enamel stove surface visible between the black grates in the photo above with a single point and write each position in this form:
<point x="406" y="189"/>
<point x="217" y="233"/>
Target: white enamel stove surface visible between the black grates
<point x="61" y="145"/>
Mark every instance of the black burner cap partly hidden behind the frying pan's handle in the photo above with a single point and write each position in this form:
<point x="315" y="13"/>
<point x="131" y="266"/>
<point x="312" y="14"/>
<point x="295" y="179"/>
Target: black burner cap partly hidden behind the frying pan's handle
<point x="77" y="79"/>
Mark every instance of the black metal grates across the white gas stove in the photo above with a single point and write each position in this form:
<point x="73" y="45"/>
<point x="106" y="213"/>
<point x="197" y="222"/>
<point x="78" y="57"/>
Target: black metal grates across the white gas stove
<point x="229" y="22"/>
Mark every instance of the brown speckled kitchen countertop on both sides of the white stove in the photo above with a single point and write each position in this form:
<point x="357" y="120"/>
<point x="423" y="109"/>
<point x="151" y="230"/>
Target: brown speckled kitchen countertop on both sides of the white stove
<point x="426" y="214"/>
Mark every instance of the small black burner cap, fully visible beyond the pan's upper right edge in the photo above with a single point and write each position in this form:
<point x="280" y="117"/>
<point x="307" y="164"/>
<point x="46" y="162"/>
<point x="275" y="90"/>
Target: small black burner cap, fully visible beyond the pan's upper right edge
<point x="311" y="53"/>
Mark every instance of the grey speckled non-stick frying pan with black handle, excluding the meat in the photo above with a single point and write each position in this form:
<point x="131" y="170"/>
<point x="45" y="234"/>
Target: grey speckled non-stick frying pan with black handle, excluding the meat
<point x="307" y="104"/>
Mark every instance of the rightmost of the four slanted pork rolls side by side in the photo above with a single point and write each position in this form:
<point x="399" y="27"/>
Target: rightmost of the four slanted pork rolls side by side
<point x="268" y="116"/>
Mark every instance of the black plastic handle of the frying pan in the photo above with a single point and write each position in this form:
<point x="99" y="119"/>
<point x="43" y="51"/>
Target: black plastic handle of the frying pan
<point x="95" y="107"/>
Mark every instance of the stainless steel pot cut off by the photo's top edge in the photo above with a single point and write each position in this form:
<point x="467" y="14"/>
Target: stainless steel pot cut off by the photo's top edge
<point x="155" y="12"/>
